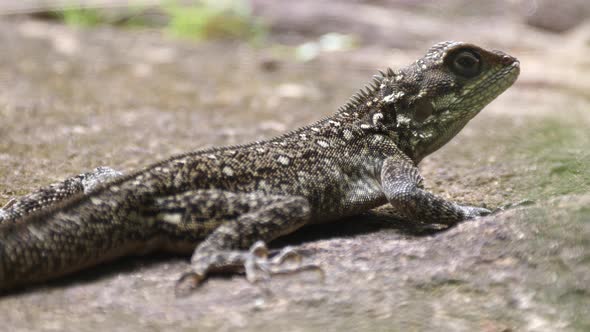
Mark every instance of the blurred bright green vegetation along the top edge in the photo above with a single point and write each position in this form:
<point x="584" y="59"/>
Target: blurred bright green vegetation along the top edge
<point x="201" y="20"/>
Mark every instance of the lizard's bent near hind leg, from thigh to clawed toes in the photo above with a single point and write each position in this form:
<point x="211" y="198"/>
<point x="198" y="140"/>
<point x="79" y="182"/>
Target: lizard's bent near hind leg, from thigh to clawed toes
<point x="235" y="227"/>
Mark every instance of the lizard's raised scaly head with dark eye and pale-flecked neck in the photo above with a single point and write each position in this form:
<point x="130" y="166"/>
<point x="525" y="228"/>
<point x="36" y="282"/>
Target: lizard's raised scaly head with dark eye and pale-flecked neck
<point x="431" y="100"/>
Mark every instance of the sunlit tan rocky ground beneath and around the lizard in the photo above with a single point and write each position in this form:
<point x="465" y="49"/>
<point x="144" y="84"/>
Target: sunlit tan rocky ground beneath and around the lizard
<point x="73" y="99"/>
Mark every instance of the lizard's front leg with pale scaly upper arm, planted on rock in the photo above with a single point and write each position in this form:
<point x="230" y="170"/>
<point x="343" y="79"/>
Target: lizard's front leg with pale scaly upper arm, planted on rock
<point x="402" y="185"/>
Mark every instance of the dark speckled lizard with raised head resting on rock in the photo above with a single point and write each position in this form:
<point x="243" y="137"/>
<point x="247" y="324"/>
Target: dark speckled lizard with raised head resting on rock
<point x="224" y="204"/>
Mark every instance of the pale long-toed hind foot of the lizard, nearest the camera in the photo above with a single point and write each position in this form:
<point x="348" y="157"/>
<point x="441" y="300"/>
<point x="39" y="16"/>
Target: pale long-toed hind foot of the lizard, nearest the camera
<point x="256" y="263"/>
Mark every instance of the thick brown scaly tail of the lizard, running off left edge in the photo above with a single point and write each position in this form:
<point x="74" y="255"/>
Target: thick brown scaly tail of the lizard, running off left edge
<point x="49" y="245"/>
